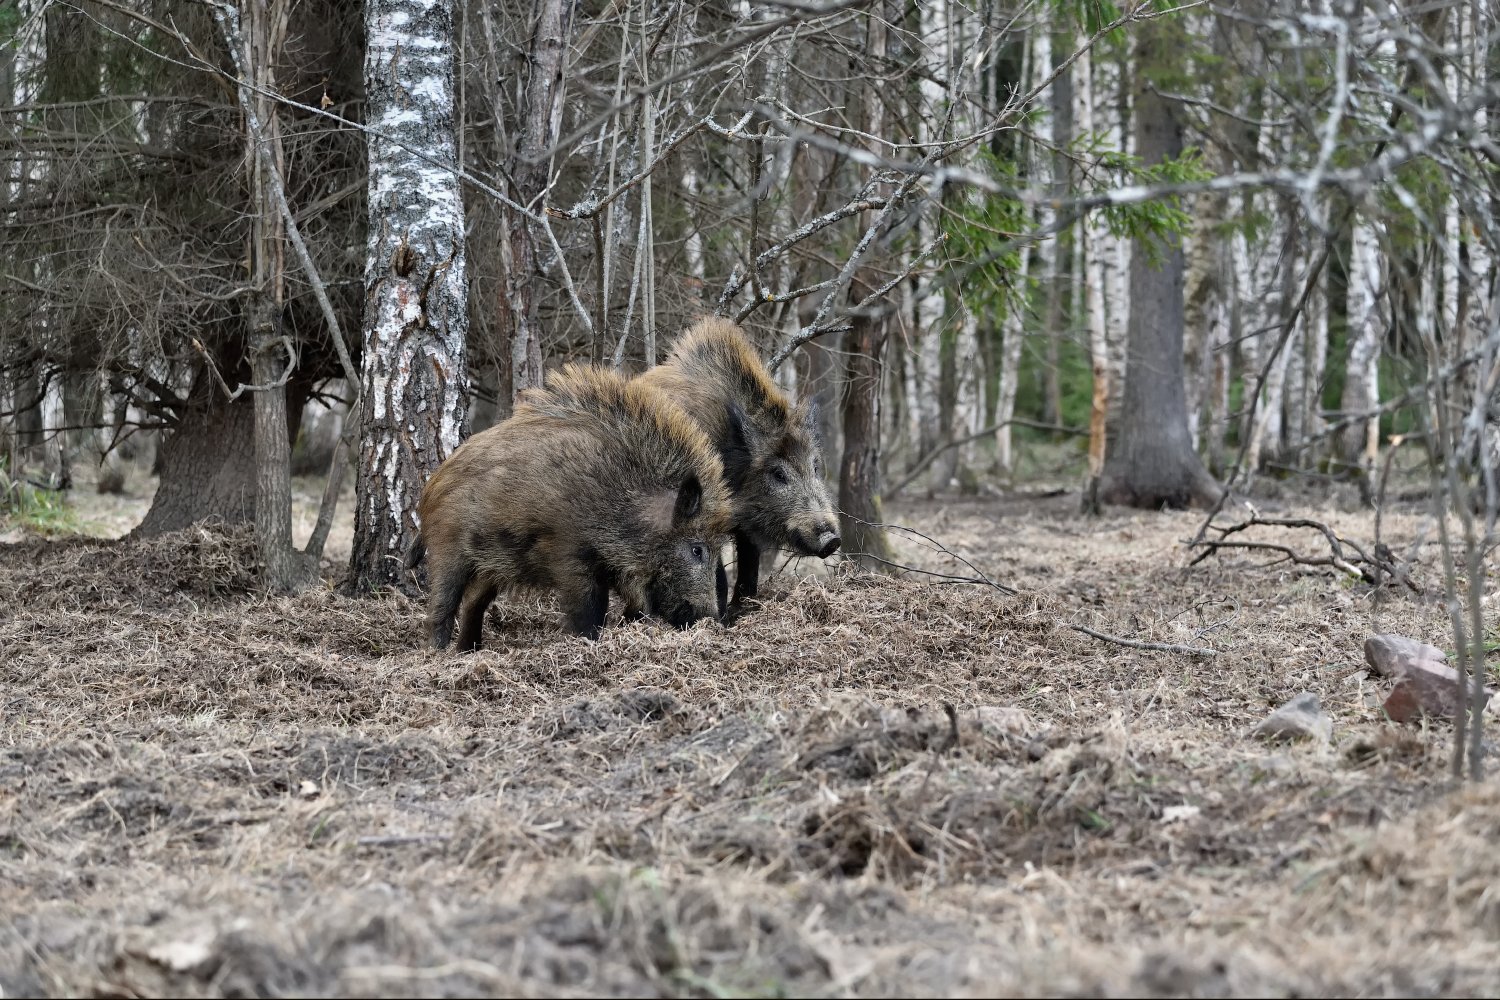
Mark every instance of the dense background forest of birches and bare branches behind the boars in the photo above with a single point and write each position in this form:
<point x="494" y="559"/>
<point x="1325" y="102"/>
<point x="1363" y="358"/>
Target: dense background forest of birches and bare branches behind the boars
<point x="959" y="226"/>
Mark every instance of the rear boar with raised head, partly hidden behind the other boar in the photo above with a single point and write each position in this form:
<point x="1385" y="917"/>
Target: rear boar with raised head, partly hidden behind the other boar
<point x="770" y="449"/>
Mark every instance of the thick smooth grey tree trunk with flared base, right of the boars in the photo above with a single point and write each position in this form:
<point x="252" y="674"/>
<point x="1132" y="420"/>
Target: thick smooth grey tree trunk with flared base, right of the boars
<point x="1153" y="464"/>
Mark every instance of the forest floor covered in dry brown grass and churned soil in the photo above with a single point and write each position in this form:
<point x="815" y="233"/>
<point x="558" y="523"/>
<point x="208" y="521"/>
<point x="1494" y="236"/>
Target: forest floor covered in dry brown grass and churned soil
<point x="206" y="791"/>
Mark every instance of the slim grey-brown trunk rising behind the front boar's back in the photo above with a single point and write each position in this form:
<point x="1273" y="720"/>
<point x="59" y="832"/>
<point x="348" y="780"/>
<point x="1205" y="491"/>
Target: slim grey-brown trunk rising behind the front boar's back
<point x="530" y="173"/>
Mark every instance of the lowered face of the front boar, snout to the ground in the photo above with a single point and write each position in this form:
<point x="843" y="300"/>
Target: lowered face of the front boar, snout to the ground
<point x="683" y="576"/>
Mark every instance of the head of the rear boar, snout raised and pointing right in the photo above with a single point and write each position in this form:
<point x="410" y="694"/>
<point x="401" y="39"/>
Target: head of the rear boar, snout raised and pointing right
<point x="782" y="497"/>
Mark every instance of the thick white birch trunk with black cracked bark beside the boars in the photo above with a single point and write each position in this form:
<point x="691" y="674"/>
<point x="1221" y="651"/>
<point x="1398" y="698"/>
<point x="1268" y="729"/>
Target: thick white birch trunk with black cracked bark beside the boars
<point x="416" y="386"/>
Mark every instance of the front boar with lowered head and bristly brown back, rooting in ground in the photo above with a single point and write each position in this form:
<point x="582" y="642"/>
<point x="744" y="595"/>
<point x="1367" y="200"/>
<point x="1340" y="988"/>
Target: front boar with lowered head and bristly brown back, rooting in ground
<point x="595" y="485"/>
